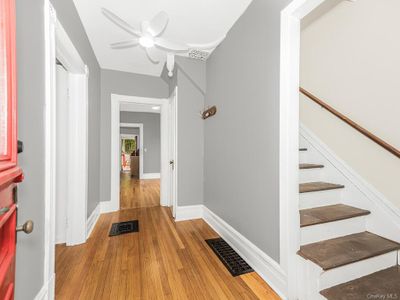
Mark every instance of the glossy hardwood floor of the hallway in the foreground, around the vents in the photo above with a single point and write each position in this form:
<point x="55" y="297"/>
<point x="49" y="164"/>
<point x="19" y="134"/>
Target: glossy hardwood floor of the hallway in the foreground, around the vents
<point x="165" y="260"/>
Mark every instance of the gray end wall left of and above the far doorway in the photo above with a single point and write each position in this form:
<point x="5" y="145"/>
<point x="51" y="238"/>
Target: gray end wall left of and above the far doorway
<point x="116" y="82"/>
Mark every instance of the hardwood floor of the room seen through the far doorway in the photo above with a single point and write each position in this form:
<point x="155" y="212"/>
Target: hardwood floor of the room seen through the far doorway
<point x="135" y="193"/>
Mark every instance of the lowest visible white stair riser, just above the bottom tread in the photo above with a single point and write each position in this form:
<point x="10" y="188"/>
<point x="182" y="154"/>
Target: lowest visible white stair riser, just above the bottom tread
<point x="356" y="270"/>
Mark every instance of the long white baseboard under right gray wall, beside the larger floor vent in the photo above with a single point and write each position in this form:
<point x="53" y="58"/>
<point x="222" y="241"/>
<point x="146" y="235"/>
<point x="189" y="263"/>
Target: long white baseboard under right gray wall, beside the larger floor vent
<point x="264" y="265"/>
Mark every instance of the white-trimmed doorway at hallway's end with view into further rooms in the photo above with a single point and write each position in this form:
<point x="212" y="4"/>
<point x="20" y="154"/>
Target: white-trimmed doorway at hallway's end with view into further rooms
<point x="152" y="176"/>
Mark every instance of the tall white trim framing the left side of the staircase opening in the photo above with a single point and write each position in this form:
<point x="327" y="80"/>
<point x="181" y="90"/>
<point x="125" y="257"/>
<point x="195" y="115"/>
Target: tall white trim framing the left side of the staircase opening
<point x="289" y="139"/>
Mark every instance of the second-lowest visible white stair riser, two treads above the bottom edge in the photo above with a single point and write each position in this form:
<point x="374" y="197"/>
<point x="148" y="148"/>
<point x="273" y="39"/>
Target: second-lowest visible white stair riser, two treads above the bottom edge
<point x="316" y="233"/>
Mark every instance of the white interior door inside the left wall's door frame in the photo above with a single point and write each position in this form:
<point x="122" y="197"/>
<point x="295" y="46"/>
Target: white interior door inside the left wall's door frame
<point x="61" y="150"/>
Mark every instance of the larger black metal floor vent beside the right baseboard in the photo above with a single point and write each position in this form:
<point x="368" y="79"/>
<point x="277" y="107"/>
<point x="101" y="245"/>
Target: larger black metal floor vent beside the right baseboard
<point x="232" y="261"/>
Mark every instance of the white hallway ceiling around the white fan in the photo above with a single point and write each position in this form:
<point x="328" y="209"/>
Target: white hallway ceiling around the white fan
<point x="190" y="21"/>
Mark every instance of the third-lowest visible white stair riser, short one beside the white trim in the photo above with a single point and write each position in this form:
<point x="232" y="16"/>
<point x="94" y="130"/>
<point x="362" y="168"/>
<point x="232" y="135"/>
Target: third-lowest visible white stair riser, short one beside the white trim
<point x="323" y="198"/>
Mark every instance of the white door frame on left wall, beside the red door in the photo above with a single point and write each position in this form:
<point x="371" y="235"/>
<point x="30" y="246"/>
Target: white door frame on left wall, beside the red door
<point x="58" y="45"/>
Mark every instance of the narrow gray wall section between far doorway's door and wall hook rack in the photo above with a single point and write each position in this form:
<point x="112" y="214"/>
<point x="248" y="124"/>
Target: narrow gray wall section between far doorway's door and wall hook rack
<point x="191" y="84"/>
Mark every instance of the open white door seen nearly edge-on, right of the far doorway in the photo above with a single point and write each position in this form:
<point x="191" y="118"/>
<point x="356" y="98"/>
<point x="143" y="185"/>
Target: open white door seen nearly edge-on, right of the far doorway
<point x="173" y="152"/>
